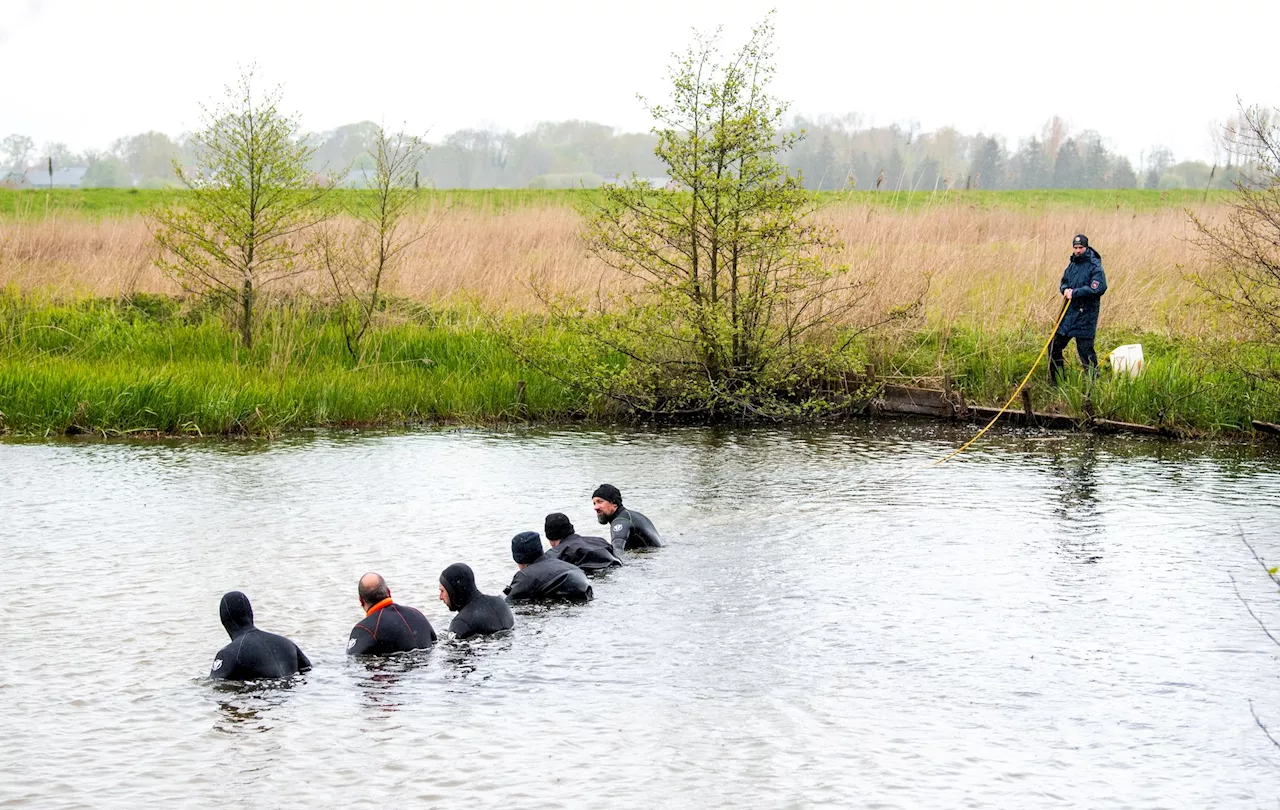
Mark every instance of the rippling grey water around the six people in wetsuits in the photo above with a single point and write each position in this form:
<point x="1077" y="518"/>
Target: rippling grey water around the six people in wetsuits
<point x="1037" y="624"/>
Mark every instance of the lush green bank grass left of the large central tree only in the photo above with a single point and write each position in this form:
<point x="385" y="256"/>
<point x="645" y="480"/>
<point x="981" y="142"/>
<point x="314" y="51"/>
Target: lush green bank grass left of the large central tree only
<point x="150" y="367"/>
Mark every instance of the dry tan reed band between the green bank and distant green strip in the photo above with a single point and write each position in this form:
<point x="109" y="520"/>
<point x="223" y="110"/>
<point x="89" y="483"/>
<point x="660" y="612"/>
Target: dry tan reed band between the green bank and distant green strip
<point x="995" y="269"/>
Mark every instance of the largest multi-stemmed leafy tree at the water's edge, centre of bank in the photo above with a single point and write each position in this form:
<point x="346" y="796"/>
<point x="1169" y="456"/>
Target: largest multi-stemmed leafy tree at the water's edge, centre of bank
<point x="728" y="281"/>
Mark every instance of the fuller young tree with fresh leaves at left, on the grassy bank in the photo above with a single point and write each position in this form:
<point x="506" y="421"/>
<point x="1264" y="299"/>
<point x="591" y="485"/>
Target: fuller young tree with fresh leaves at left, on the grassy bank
<point x="252" y="209"/>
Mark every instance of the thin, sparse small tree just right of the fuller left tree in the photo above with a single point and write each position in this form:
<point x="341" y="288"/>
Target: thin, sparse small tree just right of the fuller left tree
<point x="360" y="262"/>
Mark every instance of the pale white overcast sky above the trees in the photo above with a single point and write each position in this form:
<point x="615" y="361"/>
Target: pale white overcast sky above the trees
<point x="1142" y="74"/>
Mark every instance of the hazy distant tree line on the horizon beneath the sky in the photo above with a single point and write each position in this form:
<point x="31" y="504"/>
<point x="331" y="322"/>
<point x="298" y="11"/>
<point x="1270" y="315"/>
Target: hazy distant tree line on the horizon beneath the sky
<point x="838" y="153"/>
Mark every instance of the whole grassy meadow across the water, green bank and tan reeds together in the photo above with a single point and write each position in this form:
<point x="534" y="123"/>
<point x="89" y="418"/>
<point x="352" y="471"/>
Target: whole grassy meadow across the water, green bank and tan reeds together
<point x="93" y="337"/>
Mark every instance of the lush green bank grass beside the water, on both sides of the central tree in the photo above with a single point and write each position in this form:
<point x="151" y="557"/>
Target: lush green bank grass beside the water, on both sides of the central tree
<point x="153" y="365"/>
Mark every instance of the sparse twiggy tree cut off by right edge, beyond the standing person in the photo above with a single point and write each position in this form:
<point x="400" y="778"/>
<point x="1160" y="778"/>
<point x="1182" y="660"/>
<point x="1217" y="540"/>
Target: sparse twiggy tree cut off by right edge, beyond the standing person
<point x="1245" y="251"/>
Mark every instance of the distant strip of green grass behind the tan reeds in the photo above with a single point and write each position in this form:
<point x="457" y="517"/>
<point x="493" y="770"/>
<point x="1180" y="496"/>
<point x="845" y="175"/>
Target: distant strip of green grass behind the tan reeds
<point x="107" y="203"/>
